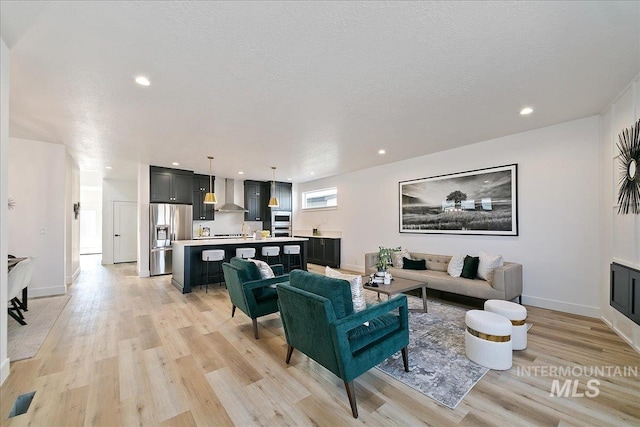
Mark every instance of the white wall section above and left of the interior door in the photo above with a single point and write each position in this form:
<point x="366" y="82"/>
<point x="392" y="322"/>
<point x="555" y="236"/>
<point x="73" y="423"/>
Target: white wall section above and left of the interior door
<point x="114" y="190"/>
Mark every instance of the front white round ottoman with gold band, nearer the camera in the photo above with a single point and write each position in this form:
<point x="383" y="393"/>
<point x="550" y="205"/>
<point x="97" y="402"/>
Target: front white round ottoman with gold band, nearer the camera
<point x="488" y="339"/>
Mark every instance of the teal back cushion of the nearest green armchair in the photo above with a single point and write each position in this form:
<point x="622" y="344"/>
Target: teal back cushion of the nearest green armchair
<point x="337" y="291"/>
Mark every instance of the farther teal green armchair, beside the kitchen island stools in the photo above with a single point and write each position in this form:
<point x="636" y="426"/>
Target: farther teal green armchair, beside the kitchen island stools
<point x="250" y="293"/>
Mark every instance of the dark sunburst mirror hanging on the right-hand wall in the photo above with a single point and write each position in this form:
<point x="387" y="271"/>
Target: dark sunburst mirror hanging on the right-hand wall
<point x="629" y="193"/>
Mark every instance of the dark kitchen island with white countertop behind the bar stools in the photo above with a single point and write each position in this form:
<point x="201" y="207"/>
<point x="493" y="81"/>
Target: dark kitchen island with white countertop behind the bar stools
<point x="187" y="256"/>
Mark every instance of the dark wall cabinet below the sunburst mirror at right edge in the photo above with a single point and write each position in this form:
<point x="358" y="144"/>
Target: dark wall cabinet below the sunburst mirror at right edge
<point x="625" y="291"/>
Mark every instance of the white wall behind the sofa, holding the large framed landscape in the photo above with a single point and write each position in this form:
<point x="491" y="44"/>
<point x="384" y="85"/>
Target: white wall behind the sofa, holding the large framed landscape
<point x="558" y="211"/>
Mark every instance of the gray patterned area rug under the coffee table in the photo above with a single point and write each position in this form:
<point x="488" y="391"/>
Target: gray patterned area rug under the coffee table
<point x="438" y="366"/>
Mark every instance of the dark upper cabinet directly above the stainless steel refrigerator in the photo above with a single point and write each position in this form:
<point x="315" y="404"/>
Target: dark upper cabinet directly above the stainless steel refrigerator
<point x="171" y="185"/>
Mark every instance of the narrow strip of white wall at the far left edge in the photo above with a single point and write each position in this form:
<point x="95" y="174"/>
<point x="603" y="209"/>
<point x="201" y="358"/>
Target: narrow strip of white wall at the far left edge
<point x="4" y="151"/>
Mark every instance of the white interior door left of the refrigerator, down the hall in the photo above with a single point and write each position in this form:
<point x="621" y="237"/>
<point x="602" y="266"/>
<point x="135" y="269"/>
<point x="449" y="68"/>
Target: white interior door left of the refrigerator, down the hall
<point x="125" y="240"/>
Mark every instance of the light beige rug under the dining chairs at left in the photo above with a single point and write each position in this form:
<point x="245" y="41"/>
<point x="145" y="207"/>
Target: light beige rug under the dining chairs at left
<point x="23" y="342"/>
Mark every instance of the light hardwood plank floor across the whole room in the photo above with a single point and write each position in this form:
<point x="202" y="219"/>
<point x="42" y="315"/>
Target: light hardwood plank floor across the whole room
<point x="129" y="351"/>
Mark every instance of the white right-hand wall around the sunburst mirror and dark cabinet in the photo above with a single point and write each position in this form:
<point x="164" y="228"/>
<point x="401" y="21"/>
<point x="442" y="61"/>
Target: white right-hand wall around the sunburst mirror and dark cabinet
<point x="621" y="242"/>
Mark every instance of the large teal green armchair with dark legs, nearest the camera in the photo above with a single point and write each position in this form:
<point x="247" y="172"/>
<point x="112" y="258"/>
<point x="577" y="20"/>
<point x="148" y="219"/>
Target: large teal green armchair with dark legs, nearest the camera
<point x="318" y="319"/>
